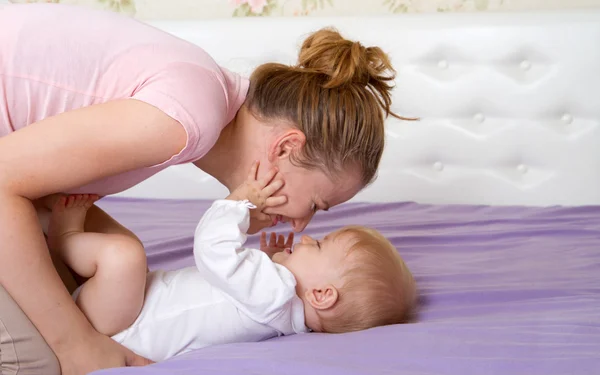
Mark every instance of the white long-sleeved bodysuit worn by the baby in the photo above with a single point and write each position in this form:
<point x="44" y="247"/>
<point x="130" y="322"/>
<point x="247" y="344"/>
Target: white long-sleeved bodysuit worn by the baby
<point x="235" y="294"/>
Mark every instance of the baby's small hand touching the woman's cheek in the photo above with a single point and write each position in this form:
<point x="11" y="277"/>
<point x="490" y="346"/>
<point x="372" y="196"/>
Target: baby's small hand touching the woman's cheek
<point x="259" y="191"/>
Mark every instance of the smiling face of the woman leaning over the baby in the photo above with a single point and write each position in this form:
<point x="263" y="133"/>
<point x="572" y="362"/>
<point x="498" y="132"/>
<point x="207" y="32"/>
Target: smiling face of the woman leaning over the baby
<point x="309" y="191"/>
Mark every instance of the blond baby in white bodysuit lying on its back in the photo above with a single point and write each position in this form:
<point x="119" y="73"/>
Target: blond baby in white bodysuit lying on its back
<point x="351" y="280"/>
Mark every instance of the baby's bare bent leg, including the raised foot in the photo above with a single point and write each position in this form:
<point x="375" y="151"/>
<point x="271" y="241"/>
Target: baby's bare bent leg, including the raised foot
<point x="115" y="264"/>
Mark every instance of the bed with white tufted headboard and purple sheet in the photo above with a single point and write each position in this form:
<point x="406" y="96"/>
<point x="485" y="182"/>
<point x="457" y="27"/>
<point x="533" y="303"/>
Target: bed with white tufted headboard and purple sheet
<point x="493" y="198"/>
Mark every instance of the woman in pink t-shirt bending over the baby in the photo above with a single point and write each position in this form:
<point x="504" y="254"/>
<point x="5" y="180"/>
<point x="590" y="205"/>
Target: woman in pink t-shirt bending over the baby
<point x="94" y="102"/>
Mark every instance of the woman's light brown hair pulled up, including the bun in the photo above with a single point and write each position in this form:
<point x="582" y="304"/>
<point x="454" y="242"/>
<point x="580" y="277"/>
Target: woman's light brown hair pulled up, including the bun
<point x="338" y="95"/>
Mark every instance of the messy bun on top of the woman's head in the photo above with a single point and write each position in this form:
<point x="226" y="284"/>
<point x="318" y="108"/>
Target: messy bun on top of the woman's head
<point x="343" y="61"/>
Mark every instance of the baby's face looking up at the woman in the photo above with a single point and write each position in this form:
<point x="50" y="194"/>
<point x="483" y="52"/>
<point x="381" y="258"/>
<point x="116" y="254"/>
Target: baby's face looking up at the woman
<point x="316" y="263"/>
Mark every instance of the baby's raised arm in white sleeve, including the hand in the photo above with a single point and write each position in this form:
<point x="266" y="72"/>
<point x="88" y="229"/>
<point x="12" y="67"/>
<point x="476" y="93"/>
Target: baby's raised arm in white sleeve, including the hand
<point x="258" y="287"/>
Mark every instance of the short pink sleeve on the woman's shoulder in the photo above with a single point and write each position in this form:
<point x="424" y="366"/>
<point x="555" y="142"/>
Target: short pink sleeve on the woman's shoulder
<point x="195" y="97"/>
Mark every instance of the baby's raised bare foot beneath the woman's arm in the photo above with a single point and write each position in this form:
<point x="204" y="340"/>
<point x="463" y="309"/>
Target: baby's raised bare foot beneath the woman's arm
<point x="68" y="214"/>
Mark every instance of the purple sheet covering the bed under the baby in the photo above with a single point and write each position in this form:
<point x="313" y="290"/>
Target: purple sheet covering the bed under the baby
<point x="504" y="290"/>
